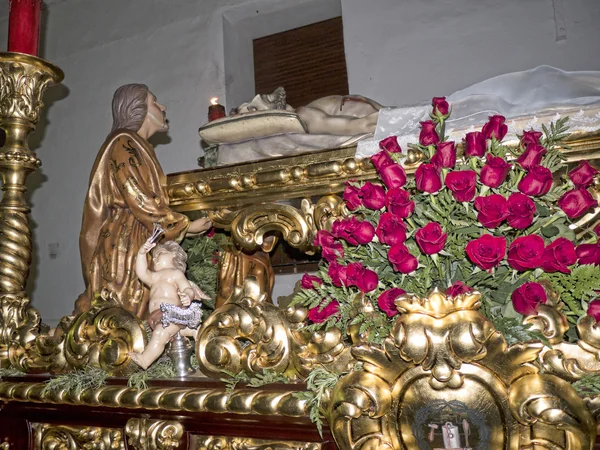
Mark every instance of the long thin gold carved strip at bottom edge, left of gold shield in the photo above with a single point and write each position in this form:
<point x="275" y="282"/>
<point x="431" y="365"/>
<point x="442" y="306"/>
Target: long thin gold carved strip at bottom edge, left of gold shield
<point x="237" y="443"/>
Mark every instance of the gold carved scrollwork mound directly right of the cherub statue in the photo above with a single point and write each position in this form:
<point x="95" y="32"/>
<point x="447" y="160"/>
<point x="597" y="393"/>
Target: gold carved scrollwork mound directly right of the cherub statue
<point x="247" y="333"/>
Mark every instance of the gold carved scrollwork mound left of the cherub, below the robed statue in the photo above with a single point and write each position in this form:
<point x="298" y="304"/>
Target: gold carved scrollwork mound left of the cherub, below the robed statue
<point x="103" y="337"/>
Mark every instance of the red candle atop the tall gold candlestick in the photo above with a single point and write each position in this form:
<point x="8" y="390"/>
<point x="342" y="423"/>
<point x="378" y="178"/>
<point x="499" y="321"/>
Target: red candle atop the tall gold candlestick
<point x="24" y="26"/>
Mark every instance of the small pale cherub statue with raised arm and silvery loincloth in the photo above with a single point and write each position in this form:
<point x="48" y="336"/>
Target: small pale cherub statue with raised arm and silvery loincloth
<point x="171" y="293"/>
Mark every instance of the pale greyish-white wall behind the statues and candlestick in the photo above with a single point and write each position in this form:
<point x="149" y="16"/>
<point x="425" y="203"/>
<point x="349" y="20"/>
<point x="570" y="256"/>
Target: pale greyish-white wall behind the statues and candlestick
<point x="398" y="52"/>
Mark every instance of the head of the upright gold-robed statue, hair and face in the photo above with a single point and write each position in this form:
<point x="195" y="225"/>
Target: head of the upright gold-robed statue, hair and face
<point x="135" y="106"/>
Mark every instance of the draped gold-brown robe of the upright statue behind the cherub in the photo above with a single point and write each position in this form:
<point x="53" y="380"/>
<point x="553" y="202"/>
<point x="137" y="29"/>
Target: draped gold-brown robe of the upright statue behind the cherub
<point x="126" y="196"/>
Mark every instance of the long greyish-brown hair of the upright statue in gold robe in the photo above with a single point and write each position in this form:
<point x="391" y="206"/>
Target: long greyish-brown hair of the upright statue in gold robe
<point x="130" y="106"/>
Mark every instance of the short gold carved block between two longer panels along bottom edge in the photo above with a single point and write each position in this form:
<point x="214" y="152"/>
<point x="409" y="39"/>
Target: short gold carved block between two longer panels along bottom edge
<point x="146" y="434"/>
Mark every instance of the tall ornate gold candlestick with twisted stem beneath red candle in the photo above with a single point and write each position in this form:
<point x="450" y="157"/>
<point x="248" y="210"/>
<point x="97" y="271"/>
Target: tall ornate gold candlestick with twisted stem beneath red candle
<point x="23" y="79"/>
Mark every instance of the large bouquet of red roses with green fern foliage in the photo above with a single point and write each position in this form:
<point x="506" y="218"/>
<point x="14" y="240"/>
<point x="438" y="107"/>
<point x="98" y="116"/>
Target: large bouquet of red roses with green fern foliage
<point x="492" y="218"/>
